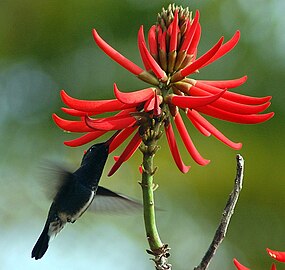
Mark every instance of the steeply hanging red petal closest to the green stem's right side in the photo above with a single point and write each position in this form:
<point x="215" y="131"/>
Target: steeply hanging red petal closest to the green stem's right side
<point x="174" y="149"/>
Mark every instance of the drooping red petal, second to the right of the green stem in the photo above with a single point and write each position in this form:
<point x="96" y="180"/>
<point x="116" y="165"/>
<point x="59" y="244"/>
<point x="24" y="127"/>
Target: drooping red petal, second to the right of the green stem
<point x="188" y="142"/>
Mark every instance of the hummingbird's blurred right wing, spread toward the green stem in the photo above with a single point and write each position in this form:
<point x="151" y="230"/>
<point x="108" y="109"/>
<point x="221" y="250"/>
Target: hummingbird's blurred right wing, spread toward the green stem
<point x="107" y="201"/>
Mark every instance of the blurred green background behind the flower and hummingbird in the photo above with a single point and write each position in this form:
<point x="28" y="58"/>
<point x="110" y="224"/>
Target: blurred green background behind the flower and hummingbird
<point x="46" y="46"/>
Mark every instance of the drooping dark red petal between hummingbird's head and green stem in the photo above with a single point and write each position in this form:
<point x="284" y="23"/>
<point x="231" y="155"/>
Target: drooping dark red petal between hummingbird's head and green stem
<point x="127" y="153"/>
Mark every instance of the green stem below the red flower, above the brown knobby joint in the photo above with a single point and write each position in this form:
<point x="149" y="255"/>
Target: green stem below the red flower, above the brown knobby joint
<point x="148" y="202"/>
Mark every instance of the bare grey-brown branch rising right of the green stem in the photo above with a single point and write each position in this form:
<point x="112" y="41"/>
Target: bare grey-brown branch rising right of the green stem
<point x="226" y="216"/>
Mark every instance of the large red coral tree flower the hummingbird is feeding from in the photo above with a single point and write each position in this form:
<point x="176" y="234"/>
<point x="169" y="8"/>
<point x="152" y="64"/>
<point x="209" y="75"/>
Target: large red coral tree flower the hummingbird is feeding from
<point x="169" y="56"/>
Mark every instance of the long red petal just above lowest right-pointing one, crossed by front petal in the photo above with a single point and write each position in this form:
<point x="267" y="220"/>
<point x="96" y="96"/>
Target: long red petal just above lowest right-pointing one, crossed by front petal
<point x="231" y="106"/>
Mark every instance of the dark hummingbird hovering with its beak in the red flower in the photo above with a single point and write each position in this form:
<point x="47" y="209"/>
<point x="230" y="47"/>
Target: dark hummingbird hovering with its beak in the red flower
<point x="76" y="192"/>
